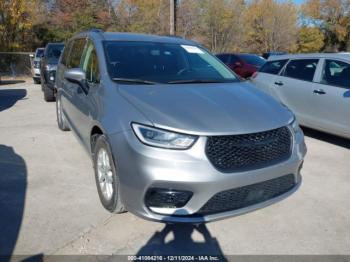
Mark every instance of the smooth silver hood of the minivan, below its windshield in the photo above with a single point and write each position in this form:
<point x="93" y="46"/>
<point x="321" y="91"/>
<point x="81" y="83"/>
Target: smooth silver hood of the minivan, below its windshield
<point x="208" y="109"/>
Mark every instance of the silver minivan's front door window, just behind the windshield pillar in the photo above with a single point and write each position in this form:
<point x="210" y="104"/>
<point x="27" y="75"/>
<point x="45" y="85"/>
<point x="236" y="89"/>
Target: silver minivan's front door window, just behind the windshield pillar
<point x="90" y="65"/>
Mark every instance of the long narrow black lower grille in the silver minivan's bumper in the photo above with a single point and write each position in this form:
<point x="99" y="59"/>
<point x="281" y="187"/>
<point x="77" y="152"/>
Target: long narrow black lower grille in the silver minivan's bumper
<point x="248" y="195"/>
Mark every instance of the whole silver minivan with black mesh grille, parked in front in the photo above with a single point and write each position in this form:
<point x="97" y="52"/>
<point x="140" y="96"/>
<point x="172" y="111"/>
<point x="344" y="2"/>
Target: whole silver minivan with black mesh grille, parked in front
<point x="173" y="134"/>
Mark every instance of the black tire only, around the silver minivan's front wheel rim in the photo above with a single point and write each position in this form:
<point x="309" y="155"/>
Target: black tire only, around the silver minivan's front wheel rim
<point x="114" y="204"/>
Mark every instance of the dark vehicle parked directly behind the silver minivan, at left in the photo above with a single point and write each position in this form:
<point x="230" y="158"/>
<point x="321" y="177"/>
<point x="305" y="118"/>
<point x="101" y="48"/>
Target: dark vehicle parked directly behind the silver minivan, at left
<point x="48" y="69"/>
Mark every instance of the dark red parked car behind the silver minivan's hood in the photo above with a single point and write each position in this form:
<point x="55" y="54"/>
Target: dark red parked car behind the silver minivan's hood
<point x="245" y="65"/>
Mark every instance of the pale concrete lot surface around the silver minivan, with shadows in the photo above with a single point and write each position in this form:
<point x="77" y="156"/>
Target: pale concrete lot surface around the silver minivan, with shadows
<point x="49" y="203"/>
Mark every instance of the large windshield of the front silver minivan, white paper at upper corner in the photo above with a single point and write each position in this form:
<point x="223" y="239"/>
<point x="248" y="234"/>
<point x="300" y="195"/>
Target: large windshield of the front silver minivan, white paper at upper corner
<point x="163" y="63"/>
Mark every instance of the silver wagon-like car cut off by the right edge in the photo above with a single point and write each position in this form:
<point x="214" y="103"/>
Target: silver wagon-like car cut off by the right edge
<point x="315" y="86"/>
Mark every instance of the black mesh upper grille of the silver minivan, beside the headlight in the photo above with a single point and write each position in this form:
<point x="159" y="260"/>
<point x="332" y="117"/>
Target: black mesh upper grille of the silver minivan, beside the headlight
<point x="249" y="151"/>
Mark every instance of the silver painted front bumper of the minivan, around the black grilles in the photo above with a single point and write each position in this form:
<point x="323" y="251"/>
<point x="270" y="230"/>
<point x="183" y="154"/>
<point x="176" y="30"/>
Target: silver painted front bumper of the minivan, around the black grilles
<point x="143" y="167"/>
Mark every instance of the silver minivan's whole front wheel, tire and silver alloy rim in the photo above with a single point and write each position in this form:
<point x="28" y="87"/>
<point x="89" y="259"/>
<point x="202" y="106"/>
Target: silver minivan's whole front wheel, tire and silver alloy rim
<point x="106" y="176"/>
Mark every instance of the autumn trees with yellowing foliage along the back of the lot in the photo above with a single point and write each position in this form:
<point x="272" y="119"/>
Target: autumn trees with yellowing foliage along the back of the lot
<point x="220" y="25"/>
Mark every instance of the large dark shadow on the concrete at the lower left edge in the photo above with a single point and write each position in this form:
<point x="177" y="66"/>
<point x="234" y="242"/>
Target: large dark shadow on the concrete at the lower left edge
<point x="13" y="184"/>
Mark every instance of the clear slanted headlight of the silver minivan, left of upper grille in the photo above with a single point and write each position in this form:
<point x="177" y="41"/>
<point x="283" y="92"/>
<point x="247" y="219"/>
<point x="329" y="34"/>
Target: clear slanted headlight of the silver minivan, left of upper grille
<point x="162" y="138"/>
